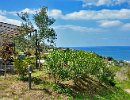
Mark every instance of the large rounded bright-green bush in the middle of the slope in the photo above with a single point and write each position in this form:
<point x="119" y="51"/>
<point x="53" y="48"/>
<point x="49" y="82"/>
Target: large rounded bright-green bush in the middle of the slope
<point x="71" y="64"/>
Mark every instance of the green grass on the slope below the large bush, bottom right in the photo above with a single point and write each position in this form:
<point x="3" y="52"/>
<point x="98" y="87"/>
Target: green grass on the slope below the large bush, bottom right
<point x="98" y="92"/>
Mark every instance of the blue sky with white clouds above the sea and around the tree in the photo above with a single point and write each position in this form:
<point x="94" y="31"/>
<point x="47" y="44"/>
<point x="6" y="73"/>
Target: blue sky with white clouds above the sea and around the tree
<point x="79" y="23"/>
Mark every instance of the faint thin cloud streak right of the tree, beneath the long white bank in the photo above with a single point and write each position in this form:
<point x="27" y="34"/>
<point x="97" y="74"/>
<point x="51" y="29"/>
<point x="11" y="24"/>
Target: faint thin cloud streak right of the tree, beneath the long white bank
<point x="78" y="28"/>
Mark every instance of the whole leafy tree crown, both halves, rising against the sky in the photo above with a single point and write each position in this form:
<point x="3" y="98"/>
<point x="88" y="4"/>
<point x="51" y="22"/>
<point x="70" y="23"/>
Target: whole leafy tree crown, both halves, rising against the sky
<point x="29" y="38"/>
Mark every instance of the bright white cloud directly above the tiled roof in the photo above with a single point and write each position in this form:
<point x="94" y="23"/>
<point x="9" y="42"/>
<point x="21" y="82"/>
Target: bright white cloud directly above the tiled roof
<point x="10" y="21"/>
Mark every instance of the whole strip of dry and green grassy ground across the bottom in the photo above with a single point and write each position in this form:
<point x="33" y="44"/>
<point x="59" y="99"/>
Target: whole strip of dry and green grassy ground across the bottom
<point x="44" y="88"/>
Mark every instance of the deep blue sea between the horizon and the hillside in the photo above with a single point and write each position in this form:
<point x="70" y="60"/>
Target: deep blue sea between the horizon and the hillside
<point x="117" y="52"/>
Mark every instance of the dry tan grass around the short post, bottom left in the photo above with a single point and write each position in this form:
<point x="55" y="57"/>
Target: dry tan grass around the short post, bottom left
<point x="11" y="88"/>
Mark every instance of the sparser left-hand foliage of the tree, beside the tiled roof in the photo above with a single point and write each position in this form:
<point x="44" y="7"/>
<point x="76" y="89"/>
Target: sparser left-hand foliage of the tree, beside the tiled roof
<point x="22" y="41"/>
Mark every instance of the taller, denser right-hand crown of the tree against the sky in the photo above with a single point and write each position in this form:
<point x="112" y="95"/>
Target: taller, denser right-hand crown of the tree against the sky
<point x="43" y="22"/>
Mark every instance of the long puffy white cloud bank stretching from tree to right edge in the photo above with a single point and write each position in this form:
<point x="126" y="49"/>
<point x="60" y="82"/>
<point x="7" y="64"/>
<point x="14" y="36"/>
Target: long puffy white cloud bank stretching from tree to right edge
<point x="92" y="14"/>
